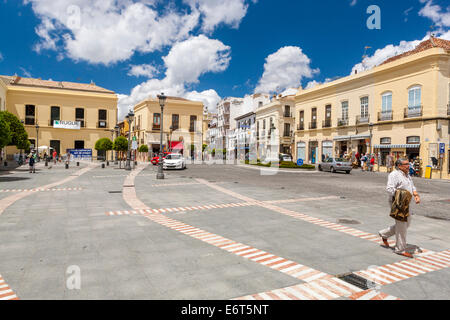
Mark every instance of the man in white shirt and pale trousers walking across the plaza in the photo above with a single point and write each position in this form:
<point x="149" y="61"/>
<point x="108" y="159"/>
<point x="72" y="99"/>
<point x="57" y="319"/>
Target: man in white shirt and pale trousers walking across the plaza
<point x="399" y="179"/>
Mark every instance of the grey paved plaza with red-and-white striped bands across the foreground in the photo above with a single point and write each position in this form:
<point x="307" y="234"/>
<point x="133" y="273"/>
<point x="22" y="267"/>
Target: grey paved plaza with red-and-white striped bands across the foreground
<point x="214" y="232"/>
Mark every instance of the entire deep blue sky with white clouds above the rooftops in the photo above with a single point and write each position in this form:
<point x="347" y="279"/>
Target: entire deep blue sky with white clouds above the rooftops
<point x="206" y="49"/>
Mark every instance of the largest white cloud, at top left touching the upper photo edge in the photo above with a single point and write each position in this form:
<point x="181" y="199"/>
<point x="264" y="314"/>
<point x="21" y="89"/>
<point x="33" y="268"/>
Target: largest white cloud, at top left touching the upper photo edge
<point x="108" y="31"/>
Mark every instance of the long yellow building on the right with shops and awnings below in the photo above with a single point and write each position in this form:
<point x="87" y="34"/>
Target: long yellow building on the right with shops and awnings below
<point x="399" y="107"/>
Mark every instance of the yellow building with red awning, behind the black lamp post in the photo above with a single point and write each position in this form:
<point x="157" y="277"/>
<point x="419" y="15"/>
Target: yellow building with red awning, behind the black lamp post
<point x="182" y="125"/>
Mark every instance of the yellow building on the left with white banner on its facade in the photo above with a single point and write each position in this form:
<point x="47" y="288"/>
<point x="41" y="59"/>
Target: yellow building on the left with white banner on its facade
<point x="61" y="115"/>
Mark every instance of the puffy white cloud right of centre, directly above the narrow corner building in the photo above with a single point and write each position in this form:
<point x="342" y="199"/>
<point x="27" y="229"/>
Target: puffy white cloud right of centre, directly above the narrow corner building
<point x="284" y="69"/>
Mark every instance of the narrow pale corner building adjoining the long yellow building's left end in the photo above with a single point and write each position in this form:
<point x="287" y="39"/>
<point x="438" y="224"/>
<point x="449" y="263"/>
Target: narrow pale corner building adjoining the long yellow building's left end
<point x="278" y="114"/>
